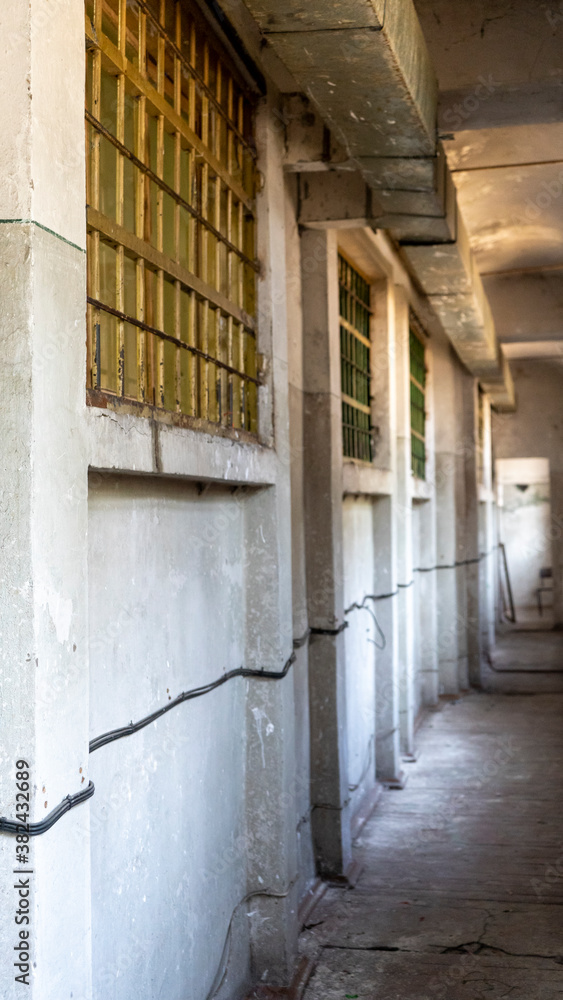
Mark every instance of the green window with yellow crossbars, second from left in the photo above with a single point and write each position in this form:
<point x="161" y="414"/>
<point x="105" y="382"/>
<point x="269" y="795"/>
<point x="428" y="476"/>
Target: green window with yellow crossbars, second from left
<point x="355" y="348"/>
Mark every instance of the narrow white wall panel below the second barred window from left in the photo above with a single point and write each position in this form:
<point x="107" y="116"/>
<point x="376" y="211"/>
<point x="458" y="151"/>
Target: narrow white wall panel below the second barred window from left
<point x="360" y="638"/>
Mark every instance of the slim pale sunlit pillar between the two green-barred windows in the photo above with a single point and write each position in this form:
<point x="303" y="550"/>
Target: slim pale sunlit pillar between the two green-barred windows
<point x="403" y="522"/>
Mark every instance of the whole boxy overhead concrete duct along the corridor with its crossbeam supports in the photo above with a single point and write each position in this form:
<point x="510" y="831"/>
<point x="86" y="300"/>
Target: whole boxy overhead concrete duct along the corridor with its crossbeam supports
<point x="373" y="85"/>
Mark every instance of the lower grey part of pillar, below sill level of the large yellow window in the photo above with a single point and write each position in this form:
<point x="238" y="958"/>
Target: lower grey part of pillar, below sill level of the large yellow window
<point x="270" y="787"/>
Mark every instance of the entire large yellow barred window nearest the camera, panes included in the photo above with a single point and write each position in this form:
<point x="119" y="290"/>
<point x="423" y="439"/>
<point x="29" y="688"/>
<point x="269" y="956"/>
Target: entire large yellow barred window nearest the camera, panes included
<point x="171" y="175"/>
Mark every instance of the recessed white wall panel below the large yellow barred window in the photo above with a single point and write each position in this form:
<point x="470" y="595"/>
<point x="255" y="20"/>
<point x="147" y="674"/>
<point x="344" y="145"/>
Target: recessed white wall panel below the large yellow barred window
<point x="167" y="613"/>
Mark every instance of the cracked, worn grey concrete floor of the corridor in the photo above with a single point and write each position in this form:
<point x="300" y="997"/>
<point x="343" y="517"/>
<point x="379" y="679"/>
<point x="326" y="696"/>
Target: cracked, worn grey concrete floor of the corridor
<point x="461" y="894"/>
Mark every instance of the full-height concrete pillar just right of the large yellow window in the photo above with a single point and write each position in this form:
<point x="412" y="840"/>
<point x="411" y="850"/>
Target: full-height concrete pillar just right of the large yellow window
<point x="270" y="790"/>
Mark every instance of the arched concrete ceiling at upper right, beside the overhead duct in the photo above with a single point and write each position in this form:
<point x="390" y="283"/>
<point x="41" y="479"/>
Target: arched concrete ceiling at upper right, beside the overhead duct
<point x="500" y="74"/>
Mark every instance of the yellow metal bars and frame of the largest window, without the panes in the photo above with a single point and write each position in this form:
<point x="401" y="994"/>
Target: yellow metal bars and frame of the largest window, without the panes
<point x="229" y="373"/>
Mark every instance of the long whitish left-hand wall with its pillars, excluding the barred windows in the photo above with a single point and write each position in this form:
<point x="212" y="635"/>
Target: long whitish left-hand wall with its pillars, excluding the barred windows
<point x="187" y="554"/>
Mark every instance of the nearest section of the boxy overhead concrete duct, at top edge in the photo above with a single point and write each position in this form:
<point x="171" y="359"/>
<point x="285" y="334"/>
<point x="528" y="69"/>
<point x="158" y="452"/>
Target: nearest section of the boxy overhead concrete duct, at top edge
<point x="373" y="84"/>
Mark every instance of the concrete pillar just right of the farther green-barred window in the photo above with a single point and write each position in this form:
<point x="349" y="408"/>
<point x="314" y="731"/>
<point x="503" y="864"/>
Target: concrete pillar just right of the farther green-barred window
<point x="445" y="402"/>
